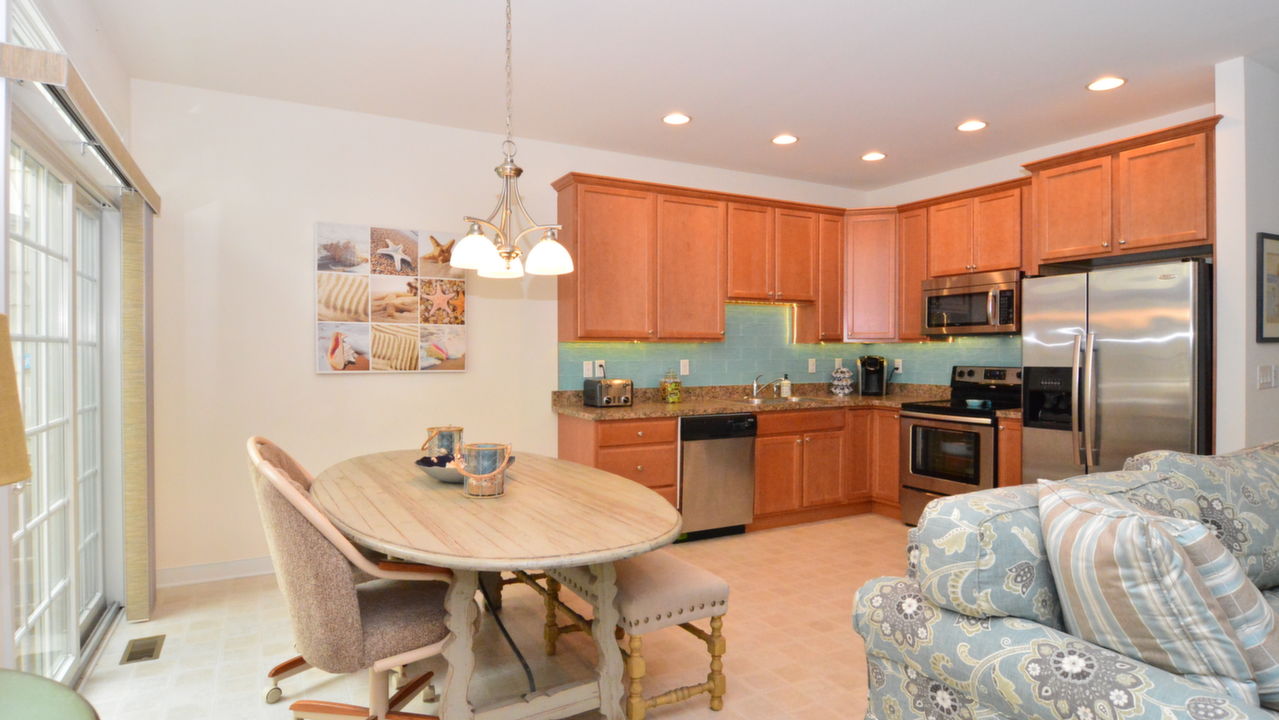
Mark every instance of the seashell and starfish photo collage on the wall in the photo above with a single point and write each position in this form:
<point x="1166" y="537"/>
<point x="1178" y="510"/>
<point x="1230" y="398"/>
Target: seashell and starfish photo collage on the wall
<point x="388" y="301"/>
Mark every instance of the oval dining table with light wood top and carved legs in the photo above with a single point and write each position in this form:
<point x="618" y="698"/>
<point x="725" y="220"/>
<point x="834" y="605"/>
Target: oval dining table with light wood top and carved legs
<point x="553" y="515"/>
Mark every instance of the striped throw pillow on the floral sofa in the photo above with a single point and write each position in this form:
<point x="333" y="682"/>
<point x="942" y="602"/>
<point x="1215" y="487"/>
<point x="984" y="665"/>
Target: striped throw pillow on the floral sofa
<point x="1129" y="583"/>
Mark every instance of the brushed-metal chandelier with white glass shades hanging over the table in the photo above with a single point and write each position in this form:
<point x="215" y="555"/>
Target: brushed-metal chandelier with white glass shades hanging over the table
<point x="501" y="256"/>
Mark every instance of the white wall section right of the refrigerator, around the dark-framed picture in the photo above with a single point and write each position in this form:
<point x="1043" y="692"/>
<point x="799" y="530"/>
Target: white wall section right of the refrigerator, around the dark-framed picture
<point x="1248" y="187"/>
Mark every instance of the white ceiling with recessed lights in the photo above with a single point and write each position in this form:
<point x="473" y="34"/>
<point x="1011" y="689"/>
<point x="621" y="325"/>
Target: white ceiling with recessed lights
<point x="845" y="76"/>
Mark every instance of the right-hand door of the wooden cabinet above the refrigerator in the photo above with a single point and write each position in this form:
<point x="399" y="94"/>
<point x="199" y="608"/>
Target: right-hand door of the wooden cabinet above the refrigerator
<point x="1163" y="194"/>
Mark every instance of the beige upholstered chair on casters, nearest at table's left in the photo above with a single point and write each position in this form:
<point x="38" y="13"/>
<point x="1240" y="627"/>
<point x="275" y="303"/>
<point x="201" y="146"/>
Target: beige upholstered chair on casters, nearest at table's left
<point x="342" y="625"/>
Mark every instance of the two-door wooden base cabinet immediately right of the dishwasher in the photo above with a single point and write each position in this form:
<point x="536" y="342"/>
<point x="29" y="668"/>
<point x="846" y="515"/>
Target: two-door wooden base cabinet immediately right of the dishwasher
<point x="799" y="461"/>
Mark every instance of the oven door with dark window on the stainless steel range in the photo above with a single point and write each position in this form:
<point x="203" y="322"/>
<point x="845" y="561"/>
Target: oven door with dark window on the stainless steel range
<point x="947" y="456"/>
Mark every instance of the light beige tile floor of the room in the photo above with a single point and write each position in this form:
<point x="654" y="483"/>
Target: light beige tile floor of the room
<point x="792" y="653"/>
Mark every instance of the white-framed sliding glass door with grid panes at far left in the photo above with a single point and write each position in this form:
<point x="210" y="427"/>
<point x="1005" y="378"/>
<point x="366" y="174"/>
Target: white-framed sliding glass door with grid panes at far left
<point x="54" y="260"/>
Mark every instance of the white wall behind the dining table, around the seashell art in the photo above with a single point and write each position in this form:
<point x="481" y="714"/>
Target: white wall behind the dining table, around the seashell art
<point x="244" y="181"/>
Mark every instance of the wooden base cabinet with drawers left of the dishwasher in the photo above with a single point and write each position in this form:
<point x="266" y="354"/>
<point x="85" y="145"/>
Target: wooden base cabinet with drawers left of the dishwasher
<point x="644" y="451"/>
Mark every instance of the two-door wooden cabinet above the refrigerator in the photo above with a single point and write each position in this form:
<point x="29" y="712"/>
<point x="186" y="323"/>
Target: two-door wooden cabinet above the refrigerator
<point x="1136" y="195"/>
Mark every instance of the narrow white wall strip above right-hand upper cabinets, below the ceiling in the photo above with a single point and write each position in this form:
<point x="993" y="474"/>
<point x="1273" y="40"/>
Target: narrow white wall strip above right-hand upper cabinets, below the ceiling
<point x="1010" y="167"/>
